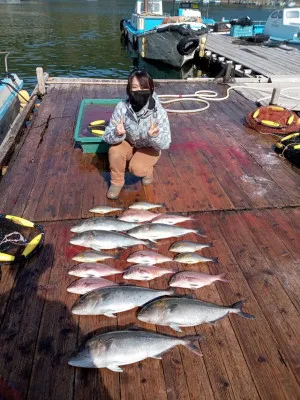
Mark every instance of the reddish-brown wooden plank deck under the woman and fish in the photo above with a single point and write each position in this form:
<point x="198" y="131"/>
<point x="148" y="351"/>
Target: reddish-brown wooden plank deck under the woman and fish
<point x="246" y="199"/>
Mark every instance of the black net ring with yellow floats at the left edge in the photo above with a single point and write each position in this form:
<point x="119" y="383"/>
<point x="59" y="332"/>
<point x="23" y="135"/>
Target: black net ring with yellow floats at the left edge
<point x="19" y="238"/>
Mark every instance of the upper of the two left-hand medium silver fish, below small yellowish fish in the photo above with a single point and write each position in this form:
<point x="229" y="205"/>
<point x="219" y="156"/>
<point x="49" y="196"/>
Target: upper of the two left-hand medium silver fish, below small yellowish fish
<point x="103" y="224"/>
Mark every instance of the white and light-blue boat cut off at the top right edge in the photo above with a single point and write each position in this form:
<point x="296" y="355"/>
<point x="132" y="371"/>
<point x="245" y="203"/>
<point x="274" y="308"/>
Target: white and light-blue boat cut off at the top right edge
<point x="284" y="25"/>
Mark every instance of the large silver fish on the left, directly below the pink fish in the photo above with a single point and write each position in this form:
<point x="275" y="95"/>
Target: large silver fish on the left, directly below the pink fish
<point x="115" y="299"/>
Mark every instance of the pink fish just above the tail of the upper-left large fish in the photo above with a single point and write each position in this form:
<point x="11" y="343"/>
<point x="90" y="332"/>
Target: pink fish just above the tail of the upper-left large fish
<point x="146" y="272"/>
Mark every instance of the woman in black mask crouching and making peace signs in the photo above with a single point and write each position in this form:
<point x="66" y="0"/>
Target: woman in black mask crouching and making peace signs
<point x="138" y="130"/>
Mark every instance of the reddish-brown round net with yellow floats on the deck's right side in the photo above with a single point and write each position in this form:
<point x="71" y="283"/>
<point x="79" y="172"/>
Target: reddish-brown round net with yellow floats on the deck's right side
<point x="273" y="119"/>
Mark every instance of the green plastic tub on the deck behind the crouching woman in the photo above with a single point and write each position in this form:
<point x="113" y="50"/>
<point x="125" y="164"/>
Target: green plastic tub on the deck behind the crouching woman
<point x="91" y="110"/>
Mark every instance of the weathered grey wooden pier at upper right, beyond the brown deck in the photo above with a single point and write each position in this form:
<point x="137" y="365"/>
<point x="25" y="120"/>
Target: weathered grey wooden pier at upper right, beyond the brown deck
<point x="260" y="59"/>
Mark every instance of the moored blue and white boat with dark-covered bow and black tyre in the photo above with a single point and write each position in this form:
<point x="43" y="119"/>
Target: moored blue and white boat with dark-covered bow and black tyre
<point x="160" y="37"/>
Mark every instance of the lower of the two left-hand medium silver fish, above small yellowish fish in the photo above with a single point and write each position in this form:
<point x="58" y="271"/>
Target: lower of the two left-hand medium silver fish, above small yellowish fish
<point x="100" y="240"/>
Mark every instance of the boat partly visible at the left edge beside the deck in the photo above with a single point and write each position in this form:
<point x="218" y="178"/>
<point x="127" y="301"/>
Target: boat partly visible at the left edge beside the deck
<point x="10" y="85"/>
